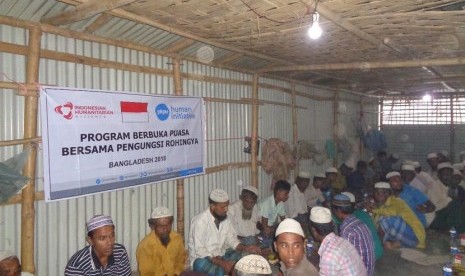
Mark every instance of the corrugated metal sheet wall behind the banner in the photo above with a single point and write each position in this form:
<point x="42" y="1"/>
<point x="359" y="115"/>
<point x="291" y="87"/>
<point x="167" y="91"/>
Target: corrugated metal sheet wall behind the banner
<point x="60" y="225"/>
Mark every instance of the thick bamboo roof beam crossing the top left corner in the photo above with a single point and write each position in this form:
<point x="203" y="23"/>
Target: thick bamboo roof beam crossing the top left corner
<point x="84" y="11"/>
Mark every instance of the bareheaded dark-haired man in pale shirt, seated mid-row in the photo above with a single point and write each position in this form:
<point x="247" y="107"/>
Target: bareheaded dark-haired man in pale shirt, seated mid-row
<point x="272" y="211"/>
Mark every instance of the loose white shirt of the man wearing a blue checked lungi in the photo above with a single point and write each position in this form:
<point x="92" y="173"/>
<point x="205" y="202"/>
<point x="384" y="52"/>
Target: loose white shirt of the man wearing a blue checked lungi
<point x="207" y="240"/>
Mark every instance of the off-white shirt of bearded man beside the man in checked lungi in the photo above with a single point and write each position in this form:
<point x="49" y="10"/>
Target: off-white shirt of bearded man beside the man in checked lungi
<point x="244" y="228"/>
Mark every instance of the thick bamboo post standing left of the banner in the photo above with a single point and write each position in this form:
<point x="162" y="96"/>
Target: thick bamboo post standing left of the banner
<point x="30" y="131"/>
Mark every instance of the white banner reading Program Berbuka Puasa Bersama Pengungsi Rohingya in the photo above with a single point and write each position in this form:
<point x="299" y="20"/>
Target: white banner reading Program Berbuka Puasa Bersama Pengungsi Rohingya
<point x="96" y="141"/>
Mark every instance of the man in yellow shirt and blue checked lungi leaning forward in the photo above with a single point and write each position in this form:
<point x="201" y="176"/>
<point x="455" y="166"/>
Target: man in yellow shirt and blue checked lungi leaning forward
<point x="398" y="225"/>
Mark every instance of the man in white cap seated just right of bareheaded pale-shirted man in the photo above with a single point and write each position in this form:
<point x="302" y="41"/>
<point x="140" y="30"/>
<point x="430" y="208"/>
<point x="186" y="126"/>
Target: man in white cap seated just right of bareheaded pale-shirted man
<point x="296" y="205"/>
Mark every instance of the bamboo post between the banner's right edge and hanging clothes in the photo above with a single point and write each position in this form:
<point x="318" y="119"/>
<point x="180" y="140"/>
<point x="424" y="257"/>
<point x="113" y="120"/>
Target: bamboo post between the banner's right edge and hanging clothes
<point x="254" y="157"/>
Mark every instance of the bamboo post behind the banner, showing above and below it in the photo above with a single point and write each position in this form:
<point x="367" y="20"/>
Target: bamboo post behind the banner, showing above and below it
<point x="179" y="182"/>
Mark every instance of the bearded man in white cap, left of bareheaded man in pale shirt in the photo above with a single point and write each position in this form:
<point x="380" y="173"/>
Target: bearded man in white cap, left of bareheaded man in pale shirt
<point x="244" y="216"/>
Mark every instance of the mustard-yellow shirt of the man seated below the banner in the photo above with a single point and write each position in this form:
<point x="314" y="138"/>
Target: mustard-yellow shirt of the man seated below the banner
<point x="156" y="260"/>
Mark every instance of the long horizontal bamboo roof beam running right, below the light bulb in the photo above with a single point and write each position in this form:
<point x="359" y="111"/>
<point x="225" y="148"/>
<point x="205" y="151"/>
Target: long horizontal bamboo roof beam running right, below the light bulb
<point x="371" y="65"/>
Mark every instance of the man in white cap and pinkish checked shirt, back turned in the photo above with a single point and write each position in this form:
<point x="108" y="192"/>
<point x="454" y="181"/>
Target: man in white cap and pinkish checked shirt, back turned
<point x="337" y="255"/>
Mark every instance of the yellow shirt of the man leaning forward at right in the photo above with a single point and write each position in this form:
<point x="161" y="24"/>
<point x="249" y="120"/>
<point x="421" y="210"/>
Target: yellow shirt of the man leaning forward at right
<point x="397" y="207"/>
